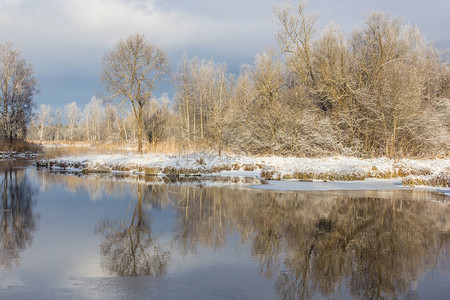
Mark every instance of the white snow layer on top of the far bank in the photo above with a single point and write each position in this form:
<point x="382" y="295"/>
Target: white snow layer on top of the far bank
<point x="283" y="165"/>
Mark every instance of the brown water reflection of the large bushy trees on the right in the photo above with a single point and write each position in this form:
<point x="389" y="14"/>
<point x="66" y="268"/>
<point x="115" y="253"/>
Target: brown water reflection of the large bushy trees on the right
<point x="379" y="247"/>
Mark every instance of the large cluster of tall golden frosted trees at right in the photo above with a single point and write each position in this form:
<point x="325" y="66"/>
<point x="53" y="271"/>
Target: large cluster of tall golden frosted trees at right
<point x="381" y="90"/>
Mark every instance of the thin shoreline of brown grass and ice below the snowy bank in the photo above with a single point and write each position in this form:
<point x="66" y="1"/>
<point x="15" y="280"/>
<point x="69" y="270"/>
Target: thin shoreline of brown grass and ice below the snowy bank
<point x="370" y="187"/>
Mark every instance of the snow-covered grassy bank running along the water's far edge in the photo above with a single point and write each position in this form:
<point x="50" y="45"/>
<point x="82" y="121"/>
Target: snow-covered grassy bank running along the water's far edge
<point x="418" y="172"/>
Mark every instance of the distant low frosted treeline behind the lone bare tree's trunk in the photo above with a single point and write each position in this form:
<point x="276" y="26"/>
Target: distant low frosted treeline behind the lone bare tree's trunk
<point x="98" y="121"/>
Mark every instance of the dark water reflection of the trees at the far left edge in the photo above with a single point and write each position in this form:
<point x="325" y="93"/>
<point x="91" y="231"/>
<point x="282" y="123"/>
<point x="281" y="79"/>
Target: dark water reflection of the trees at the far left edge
<point x="17" y="220"/>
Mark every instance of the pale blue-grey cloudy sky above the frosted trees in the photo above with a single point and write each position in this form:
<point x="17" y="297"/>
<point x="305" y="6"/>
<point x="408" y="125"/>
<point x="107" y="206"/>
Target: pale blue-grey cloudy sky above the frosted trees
<point x="65" y="40"/>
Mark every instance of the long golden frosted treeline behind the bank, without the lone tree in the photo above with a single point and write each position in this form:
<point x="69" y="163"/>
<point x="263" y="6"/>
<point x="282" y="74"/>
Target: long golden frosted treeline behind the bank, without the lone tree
<point x="382" y="91"/>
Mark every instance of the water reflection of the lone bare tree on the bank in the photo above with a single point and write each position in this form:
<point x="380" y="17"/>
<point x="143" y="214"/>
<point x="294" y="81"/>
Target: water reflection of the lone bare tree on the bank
<point x="128" y="248"/>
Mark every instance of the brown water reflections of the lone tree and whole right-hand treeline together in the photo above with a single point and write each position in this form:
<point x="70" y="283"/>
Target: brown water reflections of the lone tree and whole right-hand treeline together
<point x="376" y="244"/>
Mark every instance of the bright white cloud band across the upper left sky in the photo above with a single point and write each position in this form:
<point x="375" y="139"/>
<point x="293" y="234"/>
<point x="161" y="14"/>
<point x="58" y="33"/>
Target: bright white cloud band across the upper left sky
<point x="100" y="23"/>
